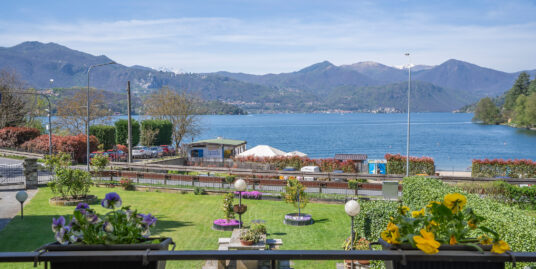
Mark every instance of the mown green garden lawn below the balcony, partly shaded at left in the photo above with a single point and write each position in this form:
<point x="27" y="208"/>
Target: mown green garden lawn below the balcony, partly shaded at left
<point x="187" y="219"/>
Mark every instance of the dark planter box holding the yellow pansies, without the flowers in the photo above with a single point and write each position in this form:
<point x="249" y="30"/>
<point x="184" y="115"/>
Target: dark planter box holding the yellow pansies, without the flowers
<point x="439" y="264"/>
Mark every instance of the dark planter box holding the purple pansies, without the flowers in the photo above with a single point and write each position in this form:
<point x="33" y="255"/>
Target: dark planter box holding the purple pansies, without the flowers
<point x="118" y="264"/>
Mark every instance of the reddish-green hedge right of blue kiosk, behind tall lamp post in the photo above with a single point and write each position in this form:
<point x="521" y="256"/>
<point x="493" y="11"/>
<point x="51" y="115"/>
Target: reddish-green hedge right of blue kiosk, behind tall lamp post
<point x="396" y="164"/>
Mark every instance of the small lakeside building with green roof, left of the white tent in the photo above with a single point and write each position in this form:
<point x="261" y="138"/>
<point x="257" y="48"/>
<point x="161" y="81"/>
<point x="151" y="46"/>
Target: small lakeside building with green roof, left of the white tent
<point x="215" y="149"/>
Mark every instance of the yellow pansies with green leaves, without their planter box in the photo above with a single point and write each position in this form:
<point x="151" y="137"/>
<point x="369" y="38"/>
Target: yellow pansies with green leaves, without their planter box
<point x="447" y="222"/>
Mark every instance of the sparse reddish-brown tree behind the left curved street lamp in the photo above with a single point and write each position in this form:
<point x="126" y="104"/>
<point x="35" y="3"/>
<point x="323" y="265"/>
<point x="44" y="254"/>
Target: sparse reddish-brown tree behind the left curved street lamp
<point x="72" y="112"/>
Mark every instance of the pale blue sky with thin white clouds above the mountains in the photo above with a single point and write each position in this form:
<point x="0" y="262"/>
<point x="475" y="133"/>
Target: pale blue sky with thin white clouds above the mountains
<point x="280" y="36"/>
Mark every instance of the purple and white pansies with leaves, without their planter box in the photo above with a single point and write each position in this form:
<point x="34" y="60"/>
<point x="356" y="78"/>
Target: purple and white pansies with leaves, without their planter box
<point x="121" y="226"/>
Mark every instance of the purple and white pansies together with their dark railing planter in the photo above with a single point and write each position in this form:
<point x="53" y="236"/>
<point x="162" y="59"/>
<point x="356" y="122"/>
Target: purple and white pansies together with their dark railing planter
<point x="120" y="229"/>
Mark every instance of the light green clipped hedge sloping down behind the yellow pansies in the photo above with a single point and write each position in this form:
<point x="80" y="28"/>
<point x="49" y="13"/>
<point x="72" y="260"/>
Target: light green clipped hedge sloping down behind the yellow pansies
<point x="517" y="229"/>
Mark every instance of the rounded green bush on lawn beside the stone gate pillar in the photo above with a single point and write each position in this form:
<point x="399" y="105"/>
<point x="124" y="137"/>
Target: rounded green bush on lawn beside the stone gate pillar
<point x="70" y="183"/>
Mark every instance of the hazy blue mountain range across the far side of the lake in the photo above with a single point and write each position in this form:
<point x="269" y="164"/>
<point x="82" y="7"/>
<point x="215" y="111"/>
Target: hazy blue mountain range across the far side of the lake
<point x="363" y="86"/>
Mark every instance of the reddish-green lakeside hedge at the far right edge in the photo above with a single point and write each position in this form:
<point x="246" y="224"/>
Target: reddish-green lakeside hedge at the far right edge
<point x="508" y="168"/>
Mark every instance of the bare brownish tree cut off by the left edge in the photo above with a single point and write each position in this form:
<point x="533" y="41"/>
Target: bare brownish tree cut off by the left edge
<point x="12" y="106"/>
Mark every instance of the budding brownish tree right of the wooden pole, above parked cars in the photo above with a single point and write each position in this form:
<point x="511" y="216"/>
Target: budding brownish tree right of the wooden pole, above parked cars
<point x="178" y="108"/>
